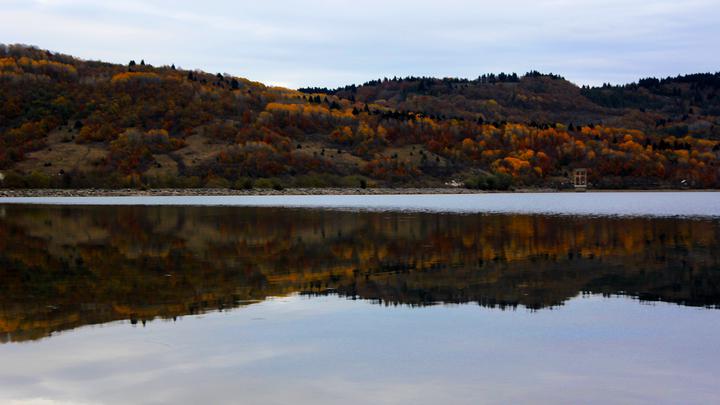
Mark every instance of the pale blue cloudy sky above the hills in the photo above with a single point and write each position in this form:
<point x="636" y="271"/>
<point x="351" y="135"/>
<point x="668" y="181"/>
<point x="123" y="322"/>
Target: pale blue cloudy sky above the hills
<point x="334" y="43"/>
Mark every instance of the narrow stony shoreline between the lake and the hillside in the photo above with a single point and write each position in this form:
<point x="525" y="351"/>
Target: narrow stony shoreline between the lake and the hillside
<point x="13" y="193"/>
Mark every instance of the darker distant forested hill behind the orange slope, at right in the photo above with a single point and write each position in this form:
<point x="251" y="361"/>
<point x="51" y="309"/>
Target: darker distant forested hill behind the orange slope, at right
<point x="671" y="106"/>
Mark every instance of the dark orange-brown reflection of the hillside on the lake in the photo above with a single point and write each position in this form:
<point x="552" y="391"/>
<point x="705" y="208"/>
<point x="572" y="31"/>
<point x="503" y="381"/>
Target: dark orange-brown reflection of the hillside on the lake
<point x="66" y="267"/>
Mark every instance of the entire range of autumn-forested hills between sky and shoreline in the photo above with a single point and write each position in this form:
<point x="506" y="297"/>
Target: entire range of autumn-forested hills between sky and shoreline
<point x="66" y="122"/>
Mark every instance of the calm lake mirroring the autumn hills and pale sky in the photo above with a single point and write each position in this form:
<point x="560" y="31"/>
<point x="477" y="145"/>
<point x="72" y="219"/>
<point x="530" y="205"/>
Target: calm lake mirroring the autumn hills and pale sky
<point x="493" y="298"/>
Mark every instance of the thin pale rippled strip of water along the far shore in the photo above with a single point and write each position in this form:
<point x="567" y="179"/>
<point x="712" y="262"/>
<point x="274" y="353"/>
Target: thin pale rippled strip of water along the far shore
<point x="654" y="204"/>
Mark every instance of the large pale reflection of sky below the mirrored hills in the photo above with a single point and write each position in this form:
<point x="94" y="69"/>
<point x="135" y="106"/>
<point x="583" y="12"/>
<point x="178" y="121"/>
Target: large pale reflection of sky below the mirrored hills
<point x="332" y="350"/>
